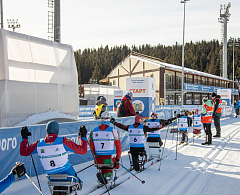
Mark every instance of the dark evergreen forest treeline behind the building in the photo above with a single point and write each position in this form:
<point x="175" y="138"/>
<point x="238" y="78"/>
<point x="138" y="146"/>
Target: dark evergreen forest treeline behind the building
<point x="203" y="56"/>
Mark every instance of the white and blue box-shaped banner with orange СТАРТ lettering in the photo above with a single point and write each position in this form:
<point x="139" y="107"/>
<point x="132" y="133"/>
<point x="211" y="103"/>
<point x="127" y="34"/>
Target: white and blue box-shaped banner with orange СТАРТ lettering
<point x="144" y="94"/>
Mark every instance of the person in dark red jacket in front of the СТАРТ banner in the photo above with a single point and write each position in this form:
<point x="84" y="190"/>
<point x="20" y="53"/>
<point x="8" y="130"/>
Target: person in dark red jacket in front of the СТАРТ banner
<point x="125" y="108"/>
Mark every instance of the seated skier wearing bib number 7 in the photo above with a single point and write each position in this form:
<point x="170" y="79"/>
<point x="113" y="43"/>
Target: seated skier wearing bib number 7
<point x="102" y="140"/>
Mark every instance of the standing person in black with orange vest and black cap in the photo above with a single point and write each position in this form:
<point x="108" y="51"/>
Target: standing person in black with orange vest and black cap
<point x="217" y="112"/>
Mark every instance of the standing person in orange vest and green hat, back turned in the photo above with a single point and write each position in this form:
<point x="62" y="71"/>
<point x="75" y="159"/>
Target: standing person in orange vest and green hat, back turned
<point x="206" y="118"/>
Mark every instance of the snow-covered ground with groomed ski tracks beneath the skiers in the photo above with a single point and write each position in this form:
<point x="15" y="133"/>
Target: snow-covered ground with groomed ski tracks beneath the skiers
<point x="198" y="169"/>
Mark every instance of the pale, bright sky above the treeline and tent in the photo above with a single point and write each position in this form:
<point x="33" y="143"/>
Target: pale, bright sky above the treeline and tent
<point x="92" y="23"/>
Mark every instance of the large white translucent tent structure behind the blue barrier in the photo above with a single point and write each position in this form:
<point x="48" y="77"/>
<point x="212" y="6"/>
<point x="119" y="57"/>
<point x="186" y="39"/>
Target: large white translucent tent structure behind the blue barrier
<point x="36" y="76"/>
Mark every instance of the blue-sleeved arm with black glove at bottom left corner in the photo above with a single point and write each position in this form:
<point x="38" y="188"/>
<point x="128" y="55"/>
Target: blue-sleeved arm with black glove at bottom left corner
<point x="16" y="172"/>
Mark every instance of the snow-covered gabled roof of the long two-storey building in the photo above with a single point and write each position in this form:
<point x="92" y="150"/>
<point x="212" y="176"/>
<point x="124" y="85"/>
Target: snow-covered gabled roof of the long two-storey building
<point x="160" y="63"/>
